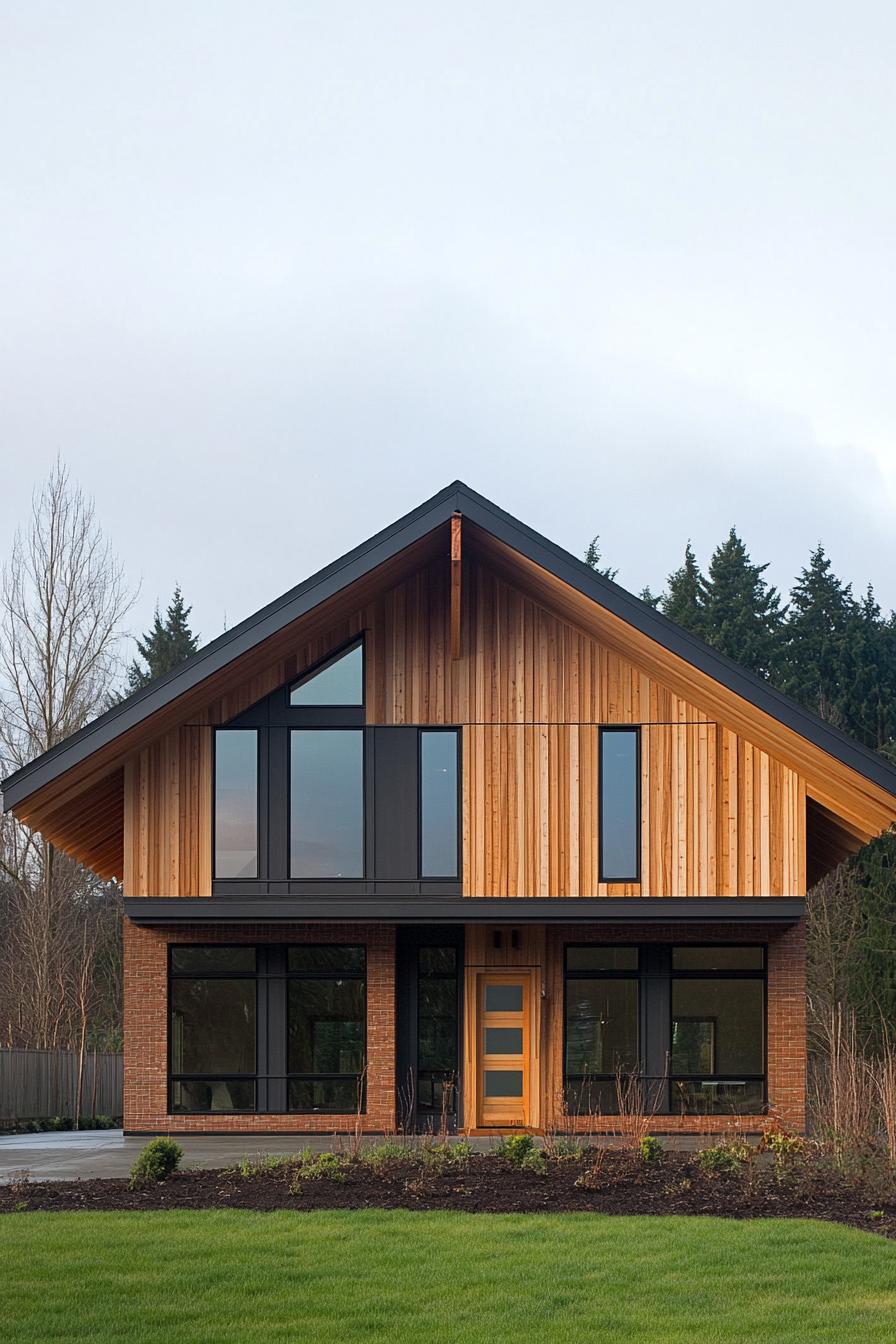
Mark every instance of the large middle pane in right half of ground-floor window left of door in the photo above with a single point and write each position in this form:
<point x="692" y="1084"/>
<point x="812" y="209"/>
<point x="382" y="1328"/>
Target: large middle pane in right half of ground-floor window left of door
<point x="326" y="1026"/>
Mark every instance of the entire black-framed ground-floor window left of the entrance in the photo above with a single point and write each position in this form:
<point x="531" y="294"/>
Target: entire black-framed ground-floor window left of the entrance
<point x="268" y="1029"/>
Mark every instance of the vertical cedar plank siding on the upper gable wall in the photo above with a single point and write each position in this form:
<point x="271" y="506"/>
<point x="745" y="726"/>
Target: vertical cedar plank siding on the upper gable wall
<point x="719" y="815"/>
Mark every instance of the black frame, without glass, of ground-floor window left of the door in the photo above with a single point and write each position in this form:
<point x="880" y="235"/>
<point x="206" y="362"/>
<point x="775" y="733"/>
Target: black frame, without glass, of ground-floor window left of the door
<point x="271" y="1087"/>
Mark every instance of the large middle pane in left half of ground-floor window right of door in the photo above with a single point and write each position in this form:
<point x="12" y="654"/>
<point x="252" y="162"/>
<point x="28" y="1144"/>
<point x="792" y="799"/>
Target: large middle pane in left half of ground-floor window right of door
<point x="602" y="1026"/>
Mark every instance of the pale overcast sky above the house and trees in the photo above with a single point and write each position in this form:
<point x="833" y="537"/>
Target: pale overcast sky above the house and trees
<point x="271" y="275"/>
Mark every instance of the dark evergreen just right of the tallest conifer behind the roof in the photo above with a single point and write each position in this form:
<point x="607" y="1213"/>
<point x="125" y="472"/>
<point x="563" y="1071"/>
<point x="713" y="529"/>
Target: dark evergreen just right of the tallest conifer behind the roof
<point x="813" y="663"/>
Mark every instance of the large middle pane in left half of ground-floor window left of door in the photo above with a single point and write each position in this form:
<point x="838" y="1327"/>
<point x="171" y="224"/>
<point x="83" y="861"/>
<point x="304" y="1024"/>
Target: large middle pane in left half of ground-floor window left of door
<point x="213" y="1026"/>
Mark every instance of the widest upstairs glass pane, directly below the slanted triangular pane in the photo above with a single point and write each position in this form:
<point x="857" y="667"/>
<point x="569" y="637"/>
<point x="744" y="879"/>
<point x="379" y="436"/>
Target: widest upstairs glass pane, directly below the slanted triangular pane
<point x="327" y="804"/>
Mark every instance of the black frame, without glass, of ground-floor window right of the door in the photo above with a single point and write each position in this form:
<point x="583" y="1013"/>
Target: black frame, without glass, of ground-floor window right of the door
<point x="656" y="980"/>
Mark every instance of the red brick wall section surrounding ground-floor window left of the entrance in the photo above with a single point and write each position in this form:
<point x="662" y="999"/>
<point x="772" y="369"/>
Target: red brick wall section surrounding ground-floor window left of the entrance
<point x="147" y="1027"/>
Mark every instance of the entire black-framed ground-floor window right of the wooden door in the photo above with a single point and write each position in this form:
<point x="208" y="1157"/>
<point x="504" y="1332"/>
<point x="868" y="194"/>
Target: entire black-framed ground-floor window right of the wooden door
<point x="686" y="1026"/>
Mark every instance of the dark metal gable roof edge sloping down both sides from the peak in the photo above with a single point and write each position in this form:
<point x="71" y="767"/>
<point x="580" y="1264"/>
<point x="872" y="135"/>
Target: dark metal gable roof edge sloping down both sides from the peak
<point x="384" y="546"/>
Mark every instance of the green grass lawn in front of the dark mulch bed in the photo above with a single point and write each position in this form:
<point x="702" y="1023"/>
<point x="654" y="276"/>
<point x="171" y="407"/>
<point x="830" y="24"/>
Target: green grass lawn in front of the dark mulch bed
<point x="455" y="1279"/>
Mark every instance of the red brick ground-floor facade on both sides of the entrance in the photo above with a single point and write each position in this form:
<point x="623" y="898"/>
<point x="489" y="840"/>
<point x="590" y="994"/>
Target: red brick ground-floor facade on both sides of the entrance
<point x="147" y="1026"/>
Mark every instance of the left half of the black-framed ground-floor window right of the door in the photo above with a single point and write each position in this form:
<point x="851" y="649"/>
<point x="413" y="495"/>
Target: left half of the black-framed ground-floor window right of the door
<point x="601" y="1021"/>
